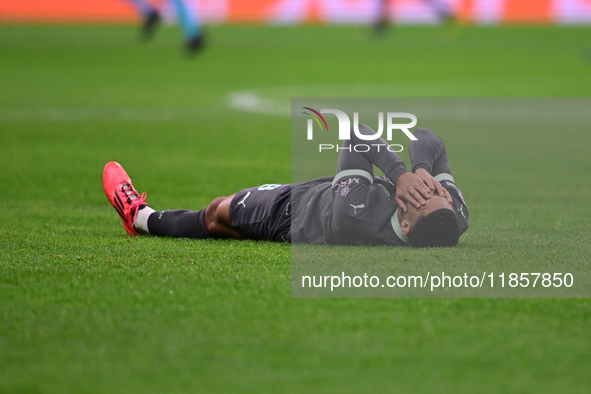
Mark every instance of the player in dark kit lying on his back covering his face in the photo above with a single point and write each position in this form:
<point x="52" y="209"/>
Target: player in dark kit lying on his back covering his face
<point x="352" y="208"/>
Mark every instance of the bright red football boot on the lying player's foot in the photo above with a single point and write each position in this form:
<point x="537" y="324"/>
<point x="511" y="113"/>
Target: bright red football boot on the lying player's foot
<point x="122" y="195"/>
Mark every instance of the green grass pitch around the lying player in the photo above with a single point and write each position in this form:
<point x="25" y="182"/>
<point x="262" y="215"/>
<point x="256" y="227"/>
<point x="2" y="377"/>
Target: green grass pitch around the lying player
<point x="84" y="308"/>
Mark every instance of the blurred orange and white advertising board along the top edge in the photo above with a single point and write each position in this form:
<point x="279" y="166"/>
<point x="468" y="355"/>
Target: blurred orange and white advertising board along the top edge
<point x="306" y="11"/>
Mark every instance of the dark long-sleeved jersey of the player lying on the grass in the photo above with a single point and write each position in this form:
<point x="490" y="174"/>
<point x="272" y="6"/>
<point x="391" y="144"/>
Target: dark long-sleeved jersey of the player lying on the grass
<point x="355" y="207"/>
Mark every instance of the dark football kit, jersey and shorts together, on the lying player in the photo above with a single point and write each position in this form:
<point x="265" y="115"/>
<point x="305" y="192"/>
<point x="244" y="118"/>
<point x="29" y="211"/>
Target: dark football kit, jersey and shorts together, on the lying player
<point x="354" y="207"/>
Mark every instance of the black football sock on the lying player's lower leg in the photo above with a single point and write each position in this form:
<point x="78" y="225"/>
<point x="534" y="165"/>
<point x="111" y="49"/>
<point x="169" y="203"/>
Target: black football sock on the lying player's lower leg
<point x="180" y="223"/>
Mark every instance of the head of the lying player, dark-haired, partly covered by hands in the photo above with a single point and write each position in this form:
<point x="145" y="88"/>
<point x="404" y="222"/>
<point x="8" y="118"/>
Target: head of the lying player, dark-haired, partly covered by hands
<point x="434" y="224"/>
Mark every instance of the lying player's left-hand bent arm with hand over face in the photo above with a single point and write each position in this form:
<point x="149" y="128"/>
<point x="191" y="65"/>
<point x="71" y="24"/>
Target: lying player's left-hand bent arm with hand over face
<point x="409" y="187"/>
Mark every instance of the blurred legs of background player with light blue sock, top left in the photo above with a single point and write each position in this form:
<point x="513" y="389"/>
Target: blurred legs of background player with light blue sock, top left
<point x="191" y="28"/>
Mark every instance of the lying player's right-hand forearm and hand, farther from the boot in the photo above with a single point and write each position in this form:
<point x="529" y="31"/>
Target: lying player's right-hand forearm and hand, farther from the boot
<point x="428" y="158"/>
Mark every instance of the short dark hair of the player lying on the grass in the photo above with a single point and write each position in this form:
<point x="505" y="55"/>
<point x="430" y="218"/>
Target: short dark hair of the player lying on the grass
<point x="439" y="228"/>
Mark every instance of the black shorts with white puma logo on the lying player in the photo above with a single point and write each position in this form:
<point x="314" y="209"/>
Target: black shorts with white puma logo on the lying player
<point x="263" y="213"/>
